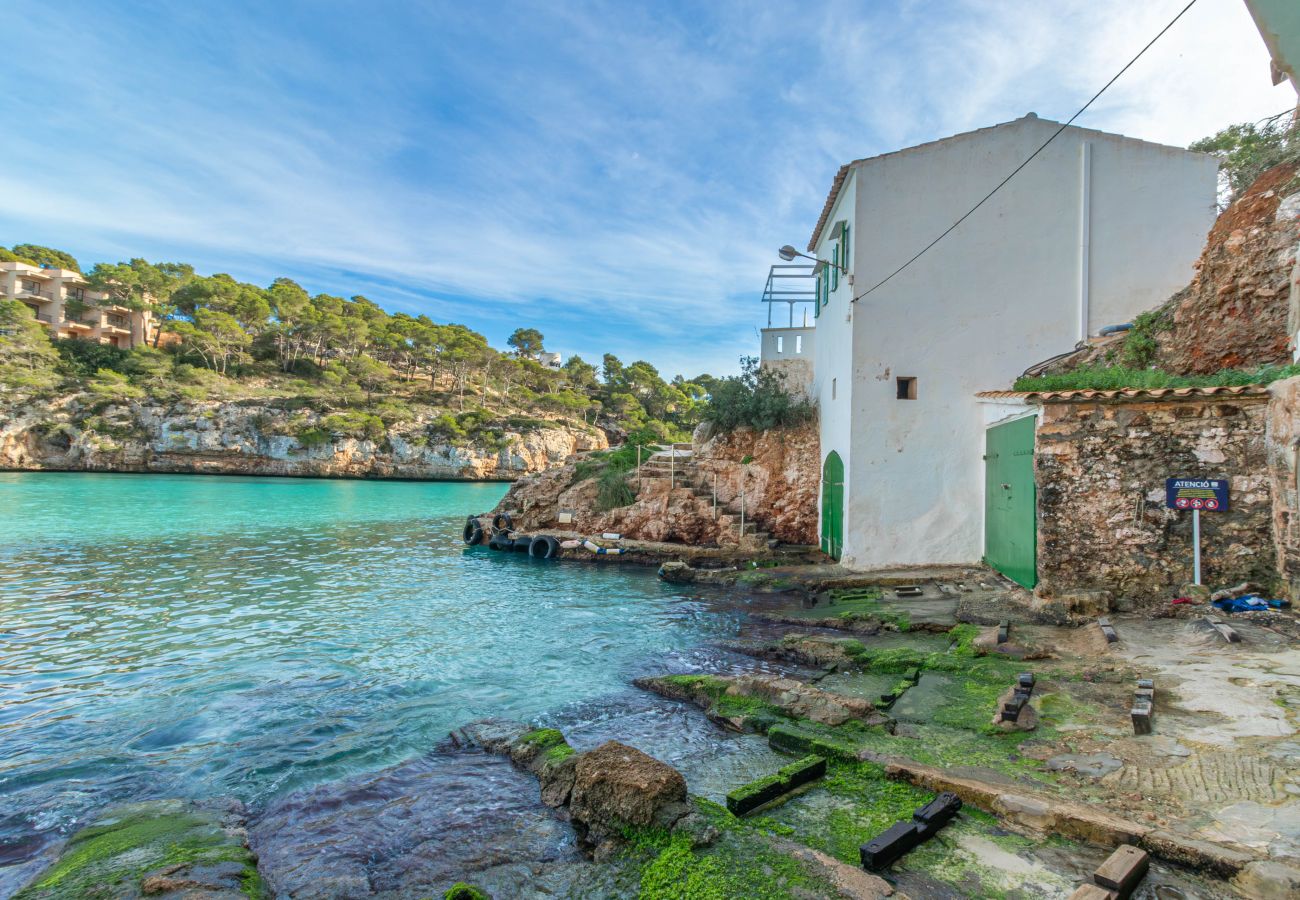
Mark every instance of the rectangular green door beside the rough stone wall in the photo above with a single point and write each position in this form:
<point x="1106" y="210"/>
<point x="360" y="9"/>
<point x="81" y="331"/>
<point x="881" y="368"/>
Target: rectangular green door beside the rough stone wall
<point x="1011" y="501"/>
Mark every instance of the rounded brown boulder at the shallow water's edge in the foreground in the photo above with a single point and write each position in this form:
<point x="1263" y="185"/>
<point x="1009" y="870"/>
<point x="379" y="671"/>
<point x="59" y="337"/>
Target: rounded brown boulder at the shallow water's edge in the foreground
<point x="617" y="786"/>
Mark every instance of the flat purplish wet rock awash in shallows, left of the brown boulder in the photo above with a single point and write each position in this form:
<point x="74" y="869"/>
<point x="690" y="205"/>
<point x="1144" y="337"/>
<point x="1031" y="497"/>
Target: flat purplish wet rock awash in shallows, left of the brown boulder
<point x="417" y="830"/>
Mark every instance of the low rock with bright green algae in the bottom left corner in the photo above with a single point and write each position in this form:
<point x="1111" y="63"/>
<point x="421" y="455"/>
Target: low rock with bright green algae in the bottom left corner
<point x="161" y="849"/>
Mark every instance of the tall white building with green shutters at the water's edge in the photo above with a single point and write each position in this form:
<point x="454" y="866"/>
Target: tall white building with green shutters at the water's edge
<point x="1097" y="230"/>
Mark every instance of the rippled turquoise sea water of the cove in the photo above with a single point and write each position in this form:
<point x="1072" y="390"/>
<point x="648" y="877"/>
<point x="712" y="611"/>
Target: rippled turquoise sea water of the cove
<point x="201" y="637"/>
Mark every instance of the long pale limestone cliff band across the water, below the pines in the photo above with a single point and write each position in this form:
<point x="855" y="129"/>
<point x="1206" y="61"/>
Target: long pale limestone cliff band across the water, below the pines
<point x="83" y="434"/>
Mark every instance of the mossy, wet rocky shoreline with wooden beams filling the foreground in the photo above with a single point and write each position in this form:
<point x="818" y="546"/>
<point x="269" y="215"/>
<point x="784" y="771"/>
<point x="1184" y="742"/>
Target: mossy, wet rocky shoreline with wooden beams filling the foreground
<point x="883" y="693"/>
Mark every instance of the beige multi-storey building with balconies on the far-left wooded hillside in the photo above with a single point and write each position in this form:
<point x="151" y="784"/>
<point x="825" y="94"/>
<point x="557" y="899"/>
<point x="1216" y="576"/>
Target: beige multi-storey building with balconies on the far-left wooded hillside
<point x="64" y="305"/>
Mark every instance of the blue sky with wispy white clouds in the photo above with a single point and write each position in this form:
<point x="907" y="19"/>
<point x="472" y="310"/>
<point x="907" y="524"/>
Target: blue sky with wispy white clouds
<point x="618" y="175"/>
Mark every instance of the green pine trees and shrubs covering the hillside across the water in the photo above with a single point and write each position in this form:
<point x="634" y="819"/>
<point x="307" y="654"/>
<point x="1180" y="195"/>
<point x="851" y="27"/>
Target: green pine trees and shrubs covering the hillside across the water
<point x="358" y="367"/>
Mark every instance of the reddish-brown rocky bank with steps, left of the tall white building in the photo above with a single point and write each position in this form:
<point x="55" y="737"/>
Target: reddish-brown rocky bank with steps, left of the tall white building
<point x="777" y="471"/>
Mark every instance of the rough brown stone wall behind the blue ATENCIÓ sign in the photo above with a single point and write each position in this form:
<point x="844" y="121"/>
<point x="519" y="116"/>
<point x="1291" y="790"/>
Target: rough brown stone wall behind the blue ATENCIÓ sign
<point x="1102" y="469"/>
